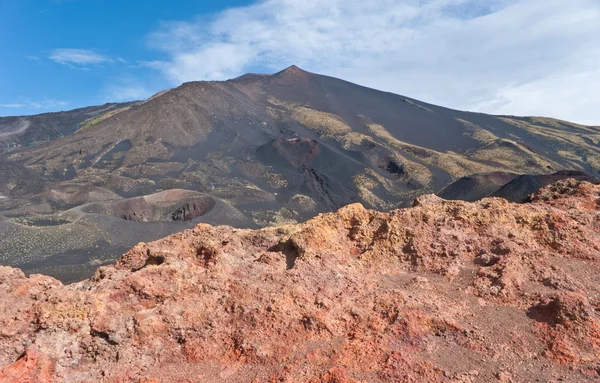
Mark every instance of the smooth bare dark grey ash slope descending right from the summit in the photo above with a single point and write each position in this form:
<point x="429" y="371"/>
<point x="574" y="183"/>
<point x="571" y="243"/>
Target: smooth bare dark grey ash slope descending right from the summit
<point x="404" y="118"/>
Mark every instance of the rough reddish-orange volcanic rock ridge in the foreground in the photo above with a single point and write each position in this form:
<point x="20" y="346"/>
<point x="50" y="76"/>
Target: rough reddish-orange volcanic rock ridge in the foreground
<point x="441" y="292"/>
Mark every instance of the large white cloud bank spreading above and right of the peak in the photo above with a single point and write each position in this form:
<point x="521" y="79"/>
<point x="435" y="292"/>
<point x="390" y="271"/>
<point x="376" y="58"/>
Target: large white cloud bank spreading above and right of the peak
<point x="531" y="57"/>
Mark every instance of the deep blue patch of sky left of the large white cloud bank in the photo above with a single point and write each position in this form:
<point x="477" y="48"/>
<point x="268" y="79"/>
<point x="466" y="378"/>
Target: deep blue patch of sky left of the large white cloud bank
<point x="37" y="33"/>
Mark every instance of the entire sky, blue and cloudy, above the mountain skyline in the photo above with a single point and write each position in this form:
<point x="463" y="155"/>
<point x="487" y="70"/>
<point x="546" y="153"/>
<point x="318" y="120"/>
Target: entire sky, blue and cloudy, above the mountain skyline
<point x="523" y="57"/>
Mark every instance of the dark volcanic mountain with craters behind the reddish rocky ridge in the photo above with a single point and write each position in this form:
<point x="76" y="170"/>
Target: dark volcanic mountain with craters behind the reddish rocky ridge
<point x="265" y="150"/>
